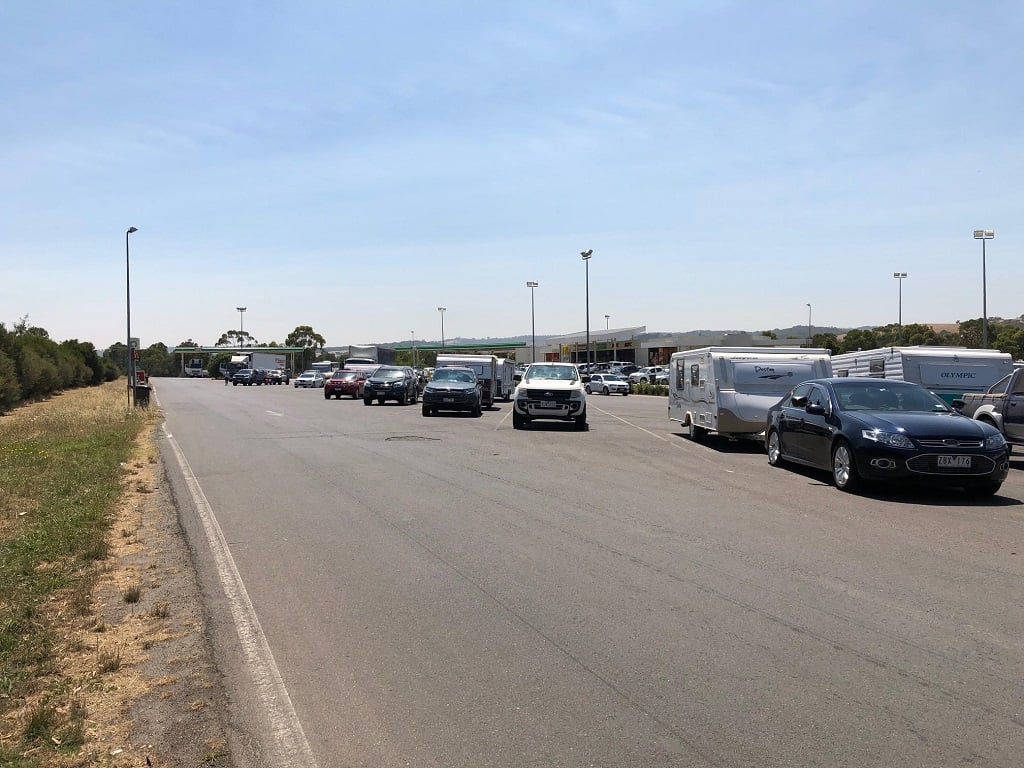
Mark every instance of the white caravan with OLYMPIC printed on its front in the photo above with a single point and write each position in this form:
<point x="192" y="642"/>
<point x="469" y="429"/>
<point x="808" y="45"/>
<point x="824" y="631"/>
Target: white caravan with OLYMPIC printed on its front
<point x="949" y="372"/>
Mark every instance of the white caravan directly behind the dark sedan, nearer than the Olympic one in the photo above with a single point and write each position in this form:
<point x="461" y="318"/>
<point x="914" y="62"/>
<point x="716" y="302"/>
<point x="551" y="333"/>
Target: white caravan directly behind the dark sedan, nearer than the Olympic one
<point x="729" y="391"/>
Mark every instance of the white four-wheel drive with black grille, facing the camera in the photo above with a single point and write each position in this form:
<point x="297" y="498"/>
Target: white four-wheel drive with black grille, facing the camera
<point x="550" y="391"/>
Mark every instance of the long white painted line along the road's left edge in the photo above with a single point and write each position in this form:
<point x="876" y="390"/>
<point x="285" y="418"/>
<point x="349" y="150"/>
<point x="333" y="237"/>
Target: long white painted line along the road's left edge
<point x="287" y="747"/>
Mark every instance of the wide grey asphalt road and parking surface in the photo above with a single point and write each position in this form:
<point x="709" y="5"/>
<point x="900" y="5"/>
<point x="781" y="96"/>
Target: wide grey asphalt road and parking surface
<point x="452" y="592"/>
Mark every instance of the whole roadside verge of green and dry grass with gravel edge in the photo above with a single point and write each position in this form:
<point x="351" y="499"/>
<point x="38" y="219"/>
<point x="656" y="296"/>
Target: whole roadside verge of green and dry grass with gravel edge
<point x="100" y="650"/>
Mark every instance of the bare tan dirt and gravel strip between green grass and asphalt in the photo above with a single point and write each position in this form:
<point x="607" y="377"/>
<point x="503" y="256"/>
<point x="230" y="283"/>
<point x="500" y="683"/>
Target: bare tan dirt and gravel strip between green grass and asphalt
<point x="142" y="669"/>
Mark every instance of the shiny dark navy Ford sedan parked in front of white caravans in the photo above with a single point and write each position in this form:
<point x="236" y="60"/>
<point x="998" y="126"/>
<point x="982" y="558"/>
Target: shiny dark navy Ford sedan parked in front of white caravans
<point x="873" y="430"/>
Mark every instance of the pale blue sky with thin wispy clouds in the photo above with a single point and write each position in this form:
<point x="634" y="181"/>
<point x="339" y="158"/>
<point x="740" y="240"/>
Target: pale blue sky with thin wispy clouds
<point x="353" y="166"/>
